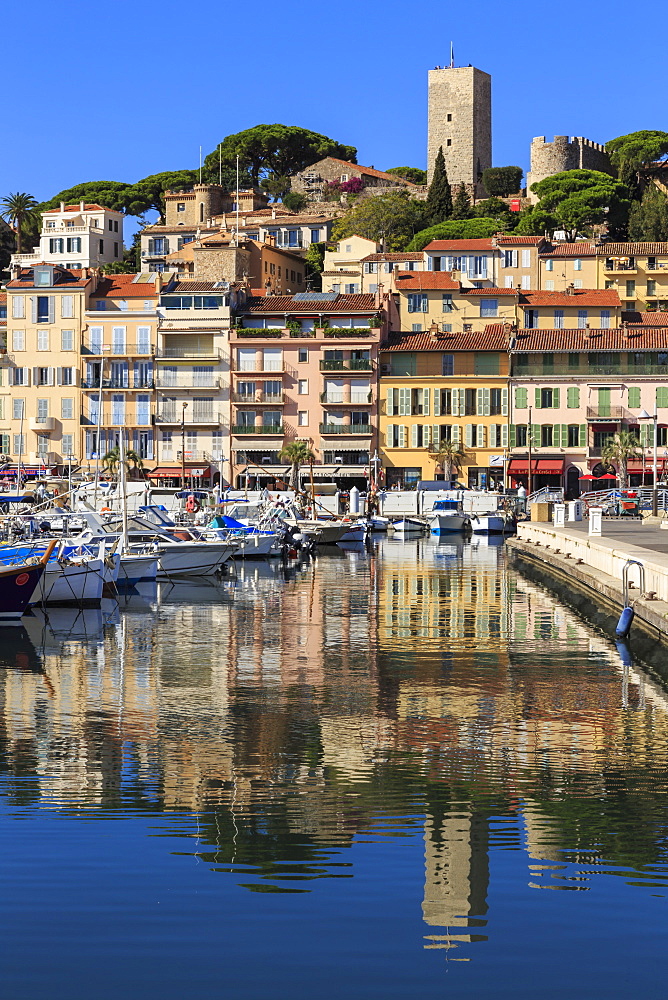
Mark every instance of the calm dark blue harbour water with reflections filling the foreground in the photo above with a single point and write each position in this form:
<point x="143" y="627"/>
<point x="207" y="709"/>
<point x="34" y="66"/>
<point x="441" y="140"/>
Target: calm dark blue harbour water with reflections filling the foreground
<point x="386" y="774"/>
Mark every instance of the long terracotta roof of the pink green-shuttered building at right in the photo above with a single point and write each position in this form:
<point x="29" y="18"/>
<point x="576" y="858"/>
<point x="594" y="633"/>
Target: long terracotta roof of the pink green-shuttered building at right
<point x="556" y="341"/>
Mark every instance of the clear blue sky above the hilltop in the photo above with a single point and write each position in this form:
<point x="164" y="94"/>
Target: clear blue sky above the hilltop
<point x="120" y="90"/>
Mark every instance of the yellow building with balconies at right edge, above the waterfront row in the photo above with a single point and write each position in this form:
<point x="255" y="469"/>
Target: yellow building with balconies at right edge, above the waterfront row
<point x="639" y="272"/>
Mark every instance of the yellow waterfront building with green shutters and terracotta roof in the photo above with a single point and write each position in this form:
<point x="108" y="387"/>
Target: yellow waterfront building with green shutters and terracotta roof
<point x="439" y="386"/>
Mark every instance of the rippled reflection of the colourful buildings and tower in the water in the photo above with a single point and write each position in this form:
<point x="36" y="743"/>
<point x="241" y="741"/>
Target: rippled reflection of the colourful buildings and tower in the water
<point x="362" y="684"/>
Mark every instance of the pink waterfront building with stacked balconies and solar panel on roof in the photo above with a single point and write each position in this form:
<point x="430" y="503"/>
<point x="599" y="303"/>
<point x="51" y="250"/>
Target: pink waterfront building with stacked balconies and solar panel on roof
<point x="306" y="367"/>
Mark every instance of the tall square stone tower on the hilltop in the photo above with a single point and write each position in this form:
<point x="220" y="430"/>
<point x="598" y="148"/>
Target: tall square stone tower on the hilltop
<point x="460" y="120"/>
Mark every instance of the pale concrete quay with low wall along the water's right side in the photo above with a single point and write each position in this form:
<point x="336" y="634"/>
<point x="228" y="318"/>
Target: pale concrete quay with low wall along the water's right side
<point x="586" y="571"/>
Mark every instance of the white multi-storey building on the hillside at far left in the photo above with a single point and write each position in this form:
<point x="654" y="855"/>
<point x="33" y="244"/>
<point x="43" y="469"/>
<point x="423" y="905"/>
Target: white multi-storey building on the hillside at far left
<point x="76" y="236"/>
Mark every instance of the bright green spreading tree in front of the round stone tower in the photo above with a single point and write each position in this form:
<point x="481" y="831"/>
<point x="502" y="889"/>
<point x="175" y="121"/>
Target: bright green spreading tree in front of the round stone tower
<point x="578" y="199"/>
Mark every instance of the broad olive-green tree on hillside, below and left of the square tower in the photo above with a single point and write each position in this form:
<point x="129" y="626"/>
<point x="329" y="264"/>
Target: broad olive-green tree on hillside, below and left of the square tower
<point x="389" y="219"/>
